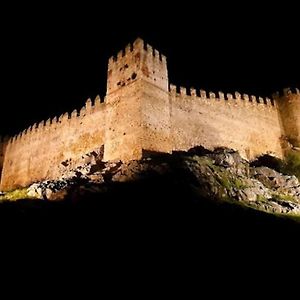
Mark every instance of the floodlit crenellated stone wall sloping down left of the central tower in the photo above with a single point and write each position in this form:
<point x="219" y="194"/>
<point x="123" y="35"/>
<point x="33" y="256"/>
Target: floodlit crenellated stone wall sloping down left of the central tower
<point x="42" y="151"/>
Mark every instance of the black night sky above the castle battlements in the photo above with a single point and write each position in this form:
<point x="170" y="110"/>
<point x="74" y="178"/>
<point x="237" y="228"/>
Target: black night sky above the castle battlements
<point x="53" y="61"/>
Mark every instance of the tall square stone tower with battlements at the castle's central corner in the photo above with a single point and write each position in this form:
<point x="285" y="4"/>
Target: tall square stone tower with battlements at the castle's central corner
<point x="137" y="102"/>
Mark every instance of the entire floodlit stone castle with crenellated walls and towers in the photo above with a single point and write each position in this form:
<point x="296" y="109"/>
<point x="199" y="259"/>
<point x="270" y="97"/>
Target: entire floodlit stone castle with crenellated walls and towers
<point x="142" y="113"/>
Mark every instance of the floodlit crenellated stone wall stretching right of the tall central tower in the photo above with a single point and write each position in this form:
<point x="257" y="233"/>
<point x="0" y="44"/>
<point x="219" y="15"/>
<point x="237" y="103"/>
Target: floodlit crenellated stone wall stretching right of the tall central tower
<point x="248" y="124"/>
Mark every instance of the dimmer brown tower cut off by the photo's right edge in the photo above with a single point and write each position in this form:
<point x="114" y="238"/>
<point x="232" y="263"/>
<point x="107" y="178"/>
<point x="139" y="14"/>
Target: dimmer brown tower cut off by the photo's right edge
<point x="289" y="110"/>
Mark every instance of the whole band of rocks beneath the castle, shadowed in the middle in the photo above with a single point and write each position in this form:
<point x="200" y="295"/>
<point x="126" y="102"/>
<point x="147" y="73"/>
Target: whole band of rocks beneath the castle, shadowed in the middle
<point x="222" y="175"/>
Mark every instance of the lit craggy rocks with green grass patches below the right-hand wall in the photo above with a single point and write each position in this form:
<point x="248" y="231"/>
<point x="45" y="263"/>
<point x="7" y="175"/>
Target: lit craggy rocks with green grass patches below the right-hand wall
<point x="224" y="175"/>
